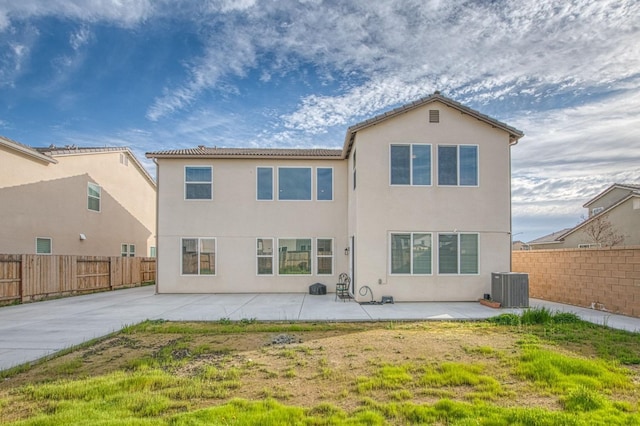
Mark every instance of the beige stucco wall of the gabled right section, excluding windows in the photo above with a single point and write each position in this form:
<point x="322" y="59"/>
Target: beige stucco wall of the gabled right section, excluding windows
<point x="377" y="208"/>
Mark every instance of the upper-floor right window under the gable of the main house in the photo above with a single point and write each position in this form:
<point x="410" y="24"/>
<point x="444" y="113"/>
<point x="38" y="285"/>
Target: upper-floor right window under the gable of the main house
<point x="458" y="165"/>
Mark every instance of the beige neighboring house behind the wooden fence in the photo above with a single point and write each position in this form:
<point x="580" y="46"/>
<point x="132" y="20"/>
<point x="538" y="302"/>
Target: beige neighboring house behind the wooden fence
<point x="80" y="201"/>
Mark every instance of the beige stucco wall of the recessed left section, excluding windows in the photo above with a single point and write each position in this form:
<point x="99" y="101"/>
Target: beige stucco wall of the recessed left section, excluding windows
<point x="235" y="218"/>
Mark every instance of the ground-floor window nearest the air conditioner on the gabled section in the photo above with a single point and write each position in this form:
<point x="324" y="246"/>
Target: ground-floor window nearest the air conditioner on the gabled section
<point x="458" y="254"/>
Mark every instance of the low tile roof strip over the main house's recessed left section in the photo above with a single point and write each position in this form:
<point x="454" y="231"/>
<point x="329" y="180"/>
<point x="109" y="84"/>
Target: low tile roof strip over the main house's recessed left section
<point x="215" y="152"/>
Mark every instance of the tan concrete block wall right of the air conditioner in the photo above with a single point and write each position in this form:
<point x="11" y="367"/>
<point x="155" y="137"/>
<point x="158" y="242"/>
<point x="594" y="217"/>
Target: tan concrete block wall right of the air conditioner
<point x="604" y="279"/>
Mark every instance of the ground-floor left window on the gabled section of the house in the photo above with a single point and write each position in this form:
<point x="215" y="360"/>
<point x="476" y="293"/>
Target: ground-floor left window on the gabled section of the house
<point x="411" y="253"/>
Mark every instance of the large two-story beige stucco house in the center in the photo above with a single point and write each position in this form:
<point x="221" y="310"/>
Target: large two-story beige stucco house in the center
<point x="416" y="205"/>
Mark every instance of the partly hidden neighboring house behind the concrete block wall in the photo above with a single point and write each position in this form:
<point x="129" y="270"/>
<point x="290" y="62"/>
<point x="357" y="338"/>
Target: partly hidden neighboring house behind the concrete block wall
<point x="613" y="219"/>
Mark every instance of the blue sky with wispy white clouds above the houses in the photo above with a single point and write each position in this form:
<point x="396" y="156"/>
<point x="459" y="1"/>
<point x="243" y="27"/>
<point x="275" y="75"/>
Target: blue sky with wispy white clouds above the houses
<point x="163" y="74"/>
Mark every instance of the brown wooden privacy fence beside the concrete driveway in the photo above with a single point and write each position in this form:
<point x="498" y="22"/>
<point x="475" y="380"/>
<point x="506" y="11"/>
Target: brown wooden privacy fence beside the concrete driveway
<point x="30" y="277"/>
